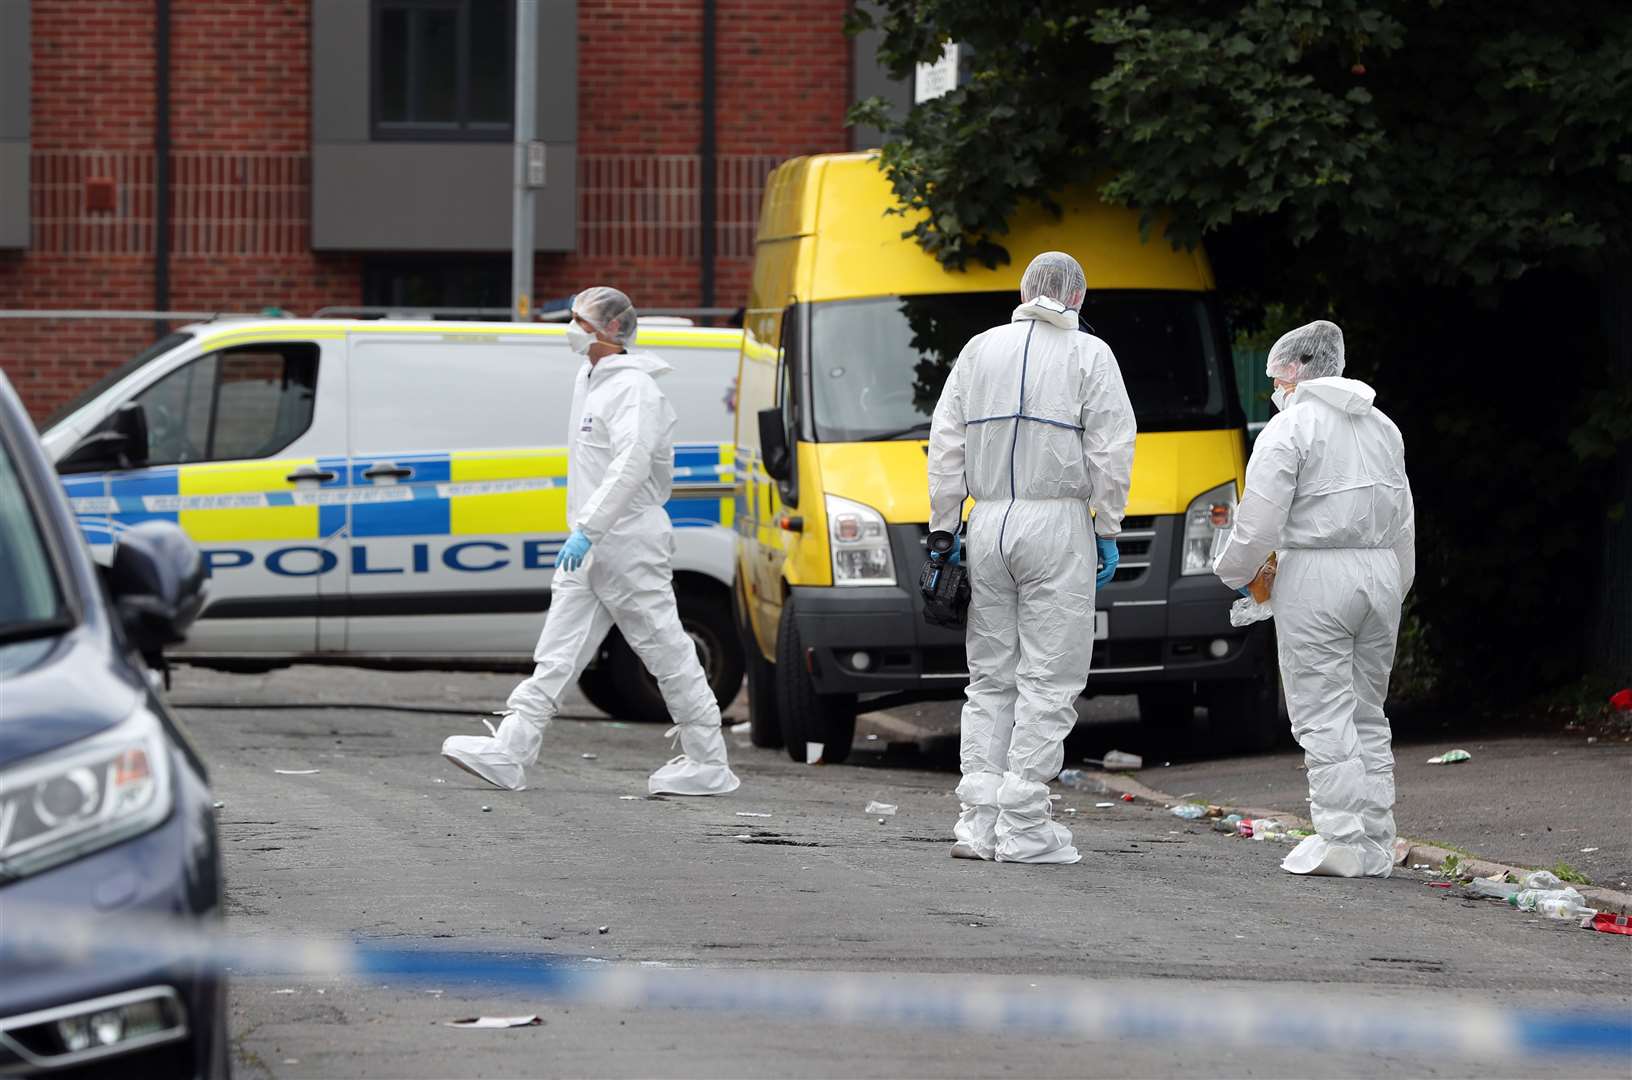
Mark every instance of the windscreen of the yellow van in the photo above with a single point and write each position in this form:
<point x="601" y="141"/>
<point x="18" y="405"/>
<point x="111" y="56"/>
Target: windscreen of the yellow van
<point x="877" y="366"/>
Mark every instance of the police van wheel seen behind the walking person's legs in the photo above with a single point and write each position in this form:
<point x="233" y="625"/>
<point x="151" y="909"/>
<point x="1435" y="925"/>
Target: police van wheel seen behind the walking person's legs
<point x="621" y="686"/>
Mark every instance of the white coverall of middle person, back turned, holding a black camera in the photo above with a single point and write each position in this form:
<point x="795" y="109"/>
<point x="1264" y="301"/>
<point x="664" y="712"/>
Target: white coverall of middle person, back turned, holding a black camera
<point x="1036" y="425"/>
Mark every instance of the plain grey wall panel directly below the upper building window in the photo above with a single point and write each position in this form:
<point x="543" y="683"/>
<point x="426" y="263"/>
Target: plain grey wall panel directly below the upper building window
<point x="433" y="197"/>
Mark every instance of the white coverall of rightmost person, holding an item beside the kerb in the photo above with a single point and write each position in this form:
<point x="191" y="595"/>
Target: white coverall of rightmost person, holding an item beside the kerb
<point x="1328" y="490"/>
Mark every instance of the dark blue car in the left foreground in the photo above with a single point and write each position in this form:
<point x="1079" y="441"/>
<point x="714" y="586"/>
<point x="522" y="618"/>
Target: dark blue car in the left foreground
<point x="105" y="807"/>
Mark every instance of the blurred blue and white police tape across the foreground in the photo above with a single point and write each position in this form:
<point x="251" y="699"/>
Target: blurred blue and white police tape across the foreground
<point x="1058" y="1009"/>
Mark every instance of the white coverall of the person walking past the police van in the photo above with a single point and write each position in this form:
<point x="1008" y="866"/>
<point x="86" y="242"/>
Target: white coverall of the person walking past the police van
<point x="621" y="469"/>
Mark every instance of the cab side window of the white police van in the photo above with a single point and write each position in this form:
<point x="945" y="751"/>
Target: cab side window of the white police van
<point x="233" y="405"/>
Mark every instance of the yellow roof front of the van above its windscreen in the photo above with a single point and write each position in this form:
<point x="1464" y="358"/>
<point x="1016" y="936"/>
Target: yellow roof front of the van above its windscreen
<point x="841" y="201"/>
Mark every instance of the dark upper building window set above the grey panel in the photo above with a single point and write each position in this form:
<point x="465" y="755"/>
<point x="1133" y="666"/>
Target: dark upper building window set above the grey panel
<point x="443" y="69"/>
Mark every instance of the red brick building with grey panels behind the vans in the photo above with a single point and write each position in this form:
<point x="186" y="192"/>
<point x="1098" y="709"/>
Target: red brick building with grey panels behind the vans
<point x="350" y="153"/>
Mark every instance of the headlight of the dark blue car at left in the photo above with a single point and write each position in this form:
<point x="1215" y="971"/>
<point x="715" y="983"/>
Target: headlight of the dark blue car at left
<point x="100" y="792"/>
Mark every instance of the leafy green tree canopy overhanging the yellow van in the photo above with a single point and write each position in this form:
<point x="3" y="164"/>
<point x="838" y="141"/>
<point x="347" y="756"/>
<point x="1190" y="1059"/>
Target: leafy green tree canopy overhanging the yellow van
<point x="1466" y="143"/>
